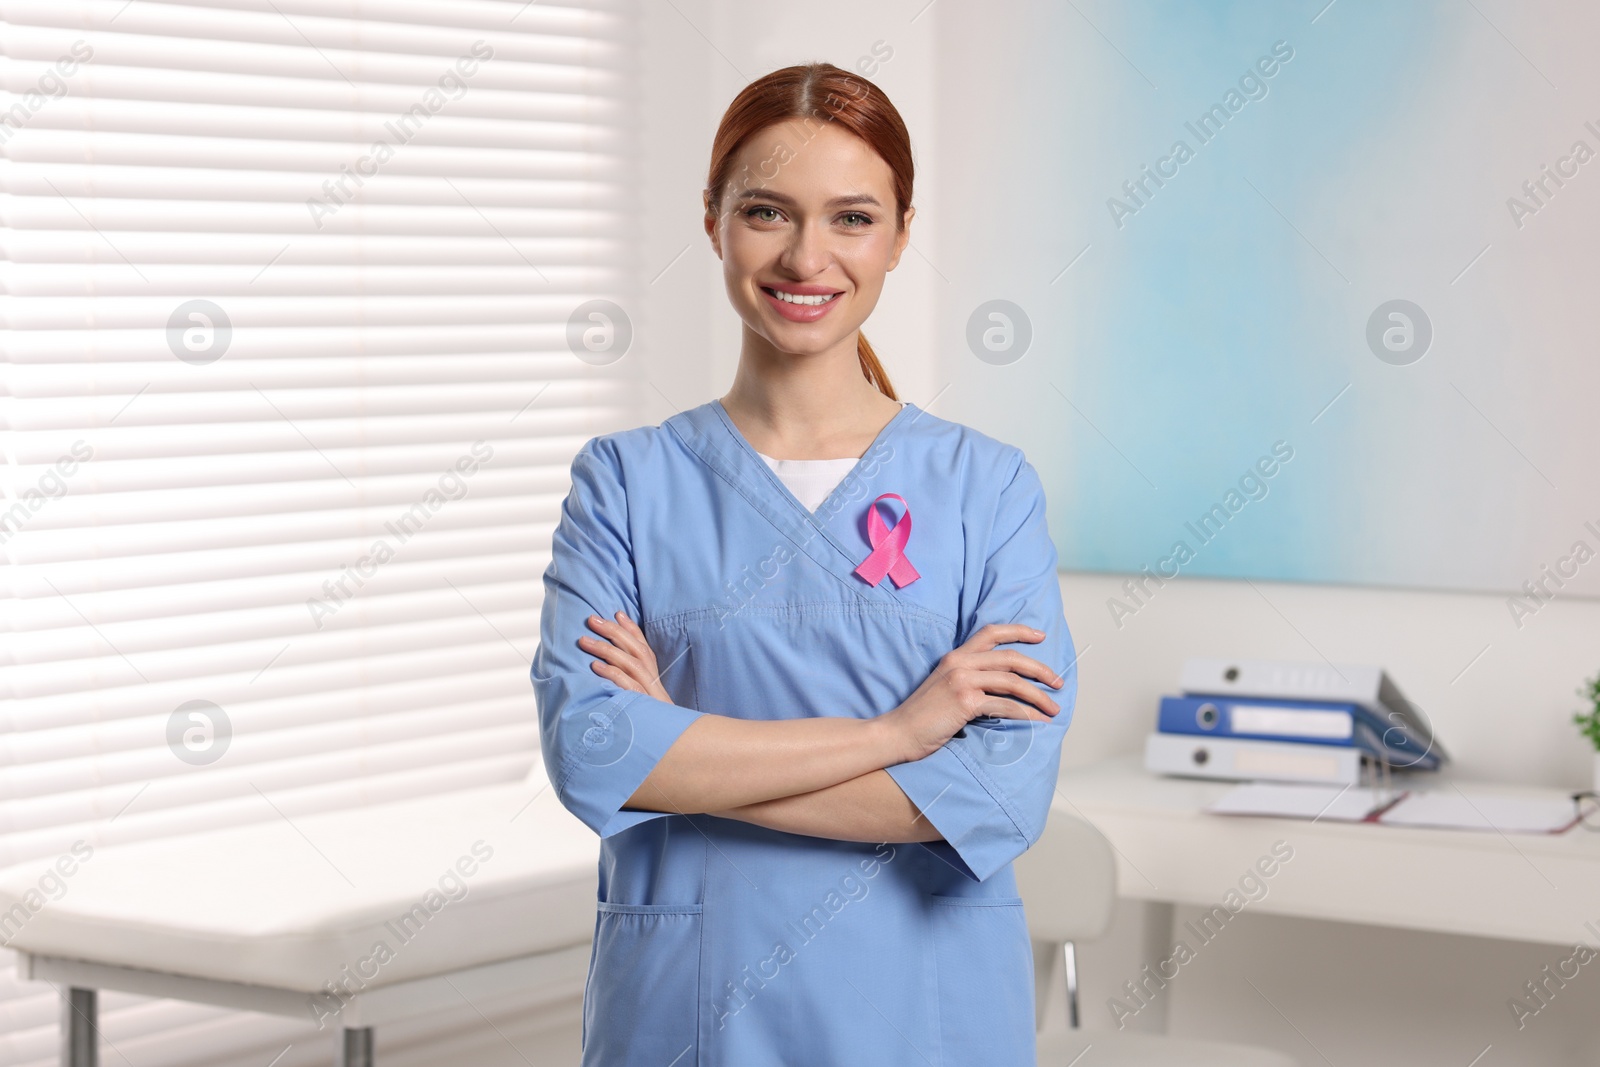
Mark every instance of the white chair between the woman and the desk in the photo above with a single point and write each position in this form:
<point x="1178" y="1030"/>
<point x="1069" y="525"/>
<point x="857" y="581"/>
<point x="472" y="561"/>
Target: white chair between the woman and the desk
<point x="1070" y="887"/>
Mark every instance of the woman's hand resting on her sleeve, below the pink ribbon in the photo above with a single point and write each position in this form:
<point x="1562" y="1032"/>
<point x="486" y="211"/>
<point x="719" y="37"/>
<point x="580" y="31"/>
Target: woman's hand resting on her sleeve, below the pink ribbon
<point x="969" y="684"/>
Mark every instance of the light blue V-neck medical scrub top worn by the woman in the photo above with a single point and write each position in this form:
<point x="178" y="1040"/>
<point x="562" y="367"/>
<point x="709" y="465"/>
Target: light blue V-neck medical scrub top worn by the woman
<point x="726" y="945"/>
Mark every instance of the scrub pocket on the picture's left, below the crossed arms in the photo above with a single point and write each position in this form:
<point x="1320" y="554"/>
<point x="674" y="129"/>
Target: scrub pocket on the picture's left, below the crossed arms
<point x="642" y="1001"/>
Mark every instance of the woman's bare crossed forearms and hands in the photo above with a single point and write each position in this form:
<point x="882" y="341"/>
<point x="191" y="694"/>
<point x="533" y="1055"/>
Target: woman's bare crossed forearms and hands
<point x="820" y="777"/>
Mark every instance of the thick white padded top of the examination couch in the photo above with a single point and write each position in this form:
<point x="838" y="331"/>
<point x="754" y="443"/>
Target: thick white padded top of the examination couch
<point x="359" y="898"/>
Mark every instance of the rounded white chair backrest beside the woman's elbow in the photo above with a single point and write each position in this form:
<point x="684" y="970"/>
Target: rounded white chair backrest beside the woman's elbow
<point x="1068" y="881"/>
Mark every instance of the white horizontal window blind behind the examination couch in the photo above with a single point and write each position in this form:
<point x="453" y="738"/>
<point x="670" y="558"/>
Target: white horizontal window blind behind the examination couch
<point x="297" y="358"/>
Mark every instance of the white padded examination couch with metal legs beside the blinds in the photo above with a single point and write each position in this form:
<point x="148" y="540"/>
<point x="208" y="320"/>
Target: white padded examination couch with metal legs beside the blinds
<point x="474" y="895"/>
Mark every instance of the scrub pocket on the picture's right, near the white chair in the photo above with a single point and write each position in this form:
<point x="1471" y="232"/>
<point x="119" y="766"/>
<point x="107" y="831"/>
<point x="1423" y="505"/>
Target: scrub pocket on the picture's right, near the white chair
<point x="986" y="981"/>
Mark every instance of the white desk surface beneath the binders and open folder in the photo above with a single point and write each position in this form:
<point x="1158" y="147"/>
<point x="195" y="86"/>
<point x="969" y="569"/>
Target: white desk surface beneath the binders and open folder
<point x="1522" y="887"/>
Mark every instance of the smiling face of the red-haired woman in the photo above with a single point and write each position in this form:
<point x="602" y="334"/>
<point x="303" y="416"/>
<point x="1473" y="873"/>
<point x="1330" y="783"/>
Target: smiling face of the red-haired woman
<point x="807" y="244"/>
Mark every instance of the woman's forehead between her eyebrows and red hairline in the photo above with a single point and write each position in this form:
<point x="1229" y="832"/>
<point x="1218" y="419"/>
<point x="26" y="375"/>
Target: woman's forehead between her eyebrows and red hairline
<point x="810" y="161"/>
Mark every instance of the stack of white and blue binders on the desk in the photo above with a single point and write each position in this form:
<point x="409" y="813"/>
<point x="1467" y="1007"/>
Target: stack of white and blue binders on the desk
<point x="1286" y="722"/>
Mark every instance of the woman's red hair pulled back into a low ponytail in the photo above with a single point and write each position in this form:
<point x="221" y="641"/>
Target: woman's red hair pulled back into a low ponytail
<point x="815" y="94"/>
